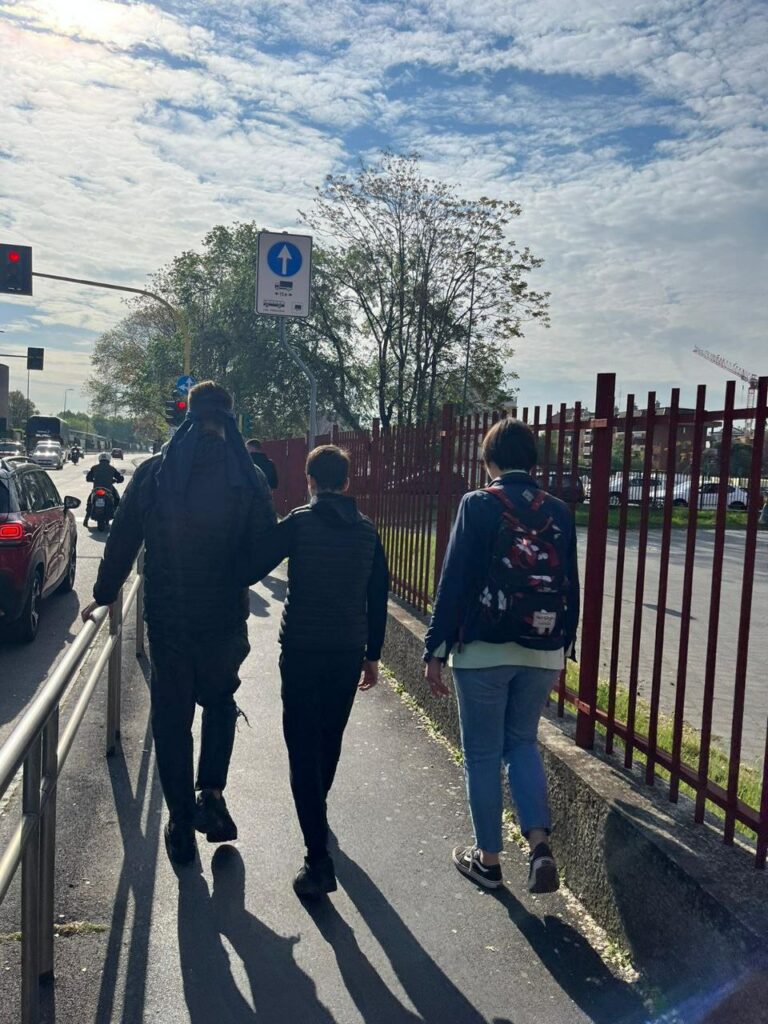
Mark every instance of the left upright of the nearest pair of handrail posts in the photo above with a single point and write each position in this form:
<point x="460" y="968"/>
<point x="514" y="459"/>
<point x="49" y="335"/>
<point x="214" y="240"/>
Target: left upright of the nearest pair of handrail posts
<point x="31" y="887"/>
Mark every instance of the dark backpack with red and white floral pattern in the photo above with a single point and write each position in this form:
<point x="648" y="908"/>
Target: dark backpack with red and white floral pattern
<point x="525" y="599"/>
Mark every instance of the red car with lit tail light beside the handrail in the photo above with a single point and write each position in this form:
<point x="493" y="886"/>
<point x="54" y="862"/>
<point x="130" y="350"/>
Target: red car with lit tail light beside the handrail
<point x="38" y="545"/>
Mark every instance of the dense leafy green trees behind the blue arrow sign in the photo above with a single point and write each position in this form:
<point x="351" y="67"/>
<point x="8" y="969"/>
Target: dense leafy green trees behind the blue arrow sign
<point x="137" y="364"/>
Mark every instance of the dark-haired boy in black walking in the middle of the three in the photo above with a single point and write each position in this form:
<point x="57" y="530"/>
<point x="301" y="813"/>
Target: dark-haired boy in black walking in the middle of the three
<point x="333" y="626"/>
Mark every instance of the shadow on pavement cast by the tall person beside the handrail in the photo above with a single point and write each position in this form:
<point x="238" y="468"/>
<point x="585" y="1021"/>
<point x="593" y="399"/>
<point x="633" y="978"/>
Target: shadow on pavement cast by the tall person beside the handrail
<point x="280" y="990"/>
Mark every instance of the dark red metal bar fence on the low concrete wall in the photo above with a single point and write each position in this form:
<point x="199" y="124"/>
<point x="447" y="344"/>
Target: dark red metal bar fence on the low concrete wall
<point x="668" y="500"/>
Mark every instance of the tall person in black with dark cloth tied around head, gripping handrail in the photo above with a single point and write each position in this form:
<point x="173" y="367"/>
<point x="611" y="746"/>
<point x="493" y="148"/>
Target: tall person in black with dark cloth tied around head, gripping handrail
<point x="200" y="509"/>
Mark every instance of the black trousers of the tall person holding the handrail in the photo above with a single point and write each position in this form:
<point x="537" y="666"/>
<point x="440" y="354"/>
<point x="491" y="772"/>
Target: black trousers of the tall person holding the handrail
<point x="186" y="672"/>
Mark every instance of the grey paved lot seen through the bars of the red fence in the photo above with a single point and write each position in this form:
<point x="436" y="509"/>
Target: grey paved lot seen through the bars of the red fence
<point x="756" y="709"/>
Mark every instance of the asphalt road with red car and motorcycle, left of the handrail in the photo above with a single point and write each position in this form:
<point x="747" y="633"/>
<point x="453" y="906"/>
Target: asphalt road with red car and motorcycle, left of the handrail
<point x="24" y="668"/>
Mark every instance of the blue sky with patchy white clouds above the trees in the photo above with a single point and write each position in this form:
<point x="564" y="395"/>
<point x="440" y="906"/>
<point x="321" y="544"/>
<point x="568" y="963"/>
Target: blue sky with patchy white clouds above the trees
<point x="632" y="133"/>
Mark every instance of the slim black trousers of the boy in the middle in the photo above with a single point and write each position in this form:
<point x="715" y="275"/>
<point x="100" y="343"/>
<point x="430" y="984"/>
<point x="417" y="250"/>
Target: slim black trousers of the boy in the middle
<point x="319" y="690"/>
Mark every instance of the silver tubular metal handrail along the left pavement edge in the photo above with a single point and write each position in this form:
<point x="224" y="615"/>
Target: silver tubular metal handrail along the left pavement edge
<point x="36" y="747"/>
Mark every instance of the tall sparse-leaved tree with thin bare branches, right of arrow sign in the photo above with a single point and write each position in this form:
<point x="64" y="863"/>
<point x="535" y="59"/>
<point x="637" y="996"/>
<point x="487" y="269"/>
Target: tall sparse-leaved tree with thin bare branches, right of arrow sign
<point x="426" y="276"/>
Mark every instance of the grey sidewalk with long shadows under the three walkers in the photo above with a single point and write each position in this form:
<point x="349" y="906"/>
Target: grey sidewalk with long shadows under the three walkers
<point x="406" y="940"/>
